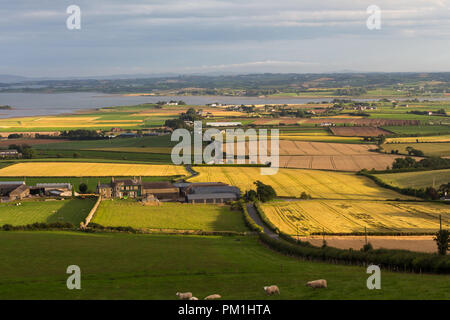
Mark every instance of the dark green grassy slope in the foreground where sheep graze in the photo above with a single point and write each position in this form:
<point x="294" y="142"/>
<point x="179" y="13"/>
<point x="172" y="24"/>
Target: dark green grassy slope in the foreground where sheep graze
<point x="126" y="266"/>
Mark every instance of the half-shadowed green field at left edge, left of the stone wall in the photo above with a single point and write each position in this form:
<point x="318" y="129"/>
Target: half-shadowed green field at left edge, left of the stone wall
<point x="29" y="212"/>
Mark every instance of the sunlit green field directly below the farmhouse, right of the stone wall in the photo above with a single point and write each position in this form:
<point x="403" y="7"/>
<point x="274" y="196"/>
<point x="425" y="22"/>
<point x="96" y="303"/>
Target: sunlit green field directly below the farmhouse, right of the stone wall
<point x="169" y="216"/>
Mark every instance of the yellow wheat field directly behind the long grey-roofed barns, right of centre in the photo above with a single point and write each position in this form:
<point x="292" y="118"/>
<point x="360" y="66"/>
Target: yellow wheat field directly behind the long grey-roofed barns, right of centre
<point x="292" y="182"/>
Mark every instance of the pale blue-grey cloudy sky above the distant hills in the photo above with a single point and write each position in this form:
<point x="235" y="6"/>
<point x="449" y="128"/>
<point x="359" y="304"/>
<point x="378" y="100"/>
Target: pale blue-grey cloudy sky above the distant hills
<point x="222" y="36"/>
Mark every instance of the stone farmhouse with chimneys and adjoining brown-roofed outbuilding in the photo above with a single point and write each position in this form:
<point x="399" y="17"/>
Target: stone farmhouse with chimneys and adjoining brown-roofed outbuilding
<point x="135" y="188"/>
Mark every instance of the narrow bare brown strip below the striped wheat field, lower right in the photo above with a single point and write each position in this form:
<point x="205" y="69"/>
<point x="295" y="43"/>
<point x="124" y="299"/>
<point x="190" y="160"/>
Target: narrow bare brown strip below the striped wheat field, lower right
<point x="412" y="243"/>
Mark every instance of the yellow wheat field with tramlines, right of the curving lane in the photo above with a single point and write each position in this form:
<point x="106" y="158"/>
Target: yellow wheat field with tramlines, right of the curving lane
<point x="353" y="216"/>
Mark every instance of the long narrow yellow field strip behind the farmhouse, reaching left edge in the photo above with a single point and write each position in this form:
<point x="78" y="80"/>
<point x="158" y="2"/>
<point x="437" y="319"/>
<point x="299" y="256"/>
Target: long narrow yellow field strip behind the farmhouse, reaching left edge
<point x="85" y="169"/>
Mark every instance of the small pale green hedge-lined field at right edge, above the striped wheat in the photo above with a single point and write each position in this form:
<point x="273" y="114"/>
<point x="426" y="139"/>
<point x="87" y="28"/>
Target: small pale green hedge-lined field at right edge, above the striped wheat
<point x="420" y="179"/>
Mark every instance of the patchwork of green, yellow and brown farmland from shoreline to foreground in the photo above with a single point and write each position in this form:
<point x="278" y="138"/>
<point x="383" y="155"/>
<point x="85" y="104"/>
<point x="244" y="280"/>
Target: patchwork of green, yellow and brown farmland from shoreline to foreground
<point x="316" y="158"/>
